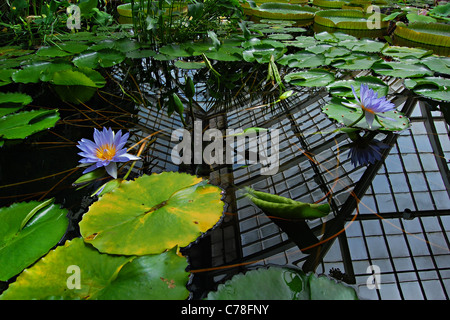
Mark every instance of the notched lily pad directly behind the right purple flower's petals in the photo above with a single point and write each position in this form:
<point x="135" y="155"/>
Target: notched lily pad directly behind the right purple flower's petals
<point x="343" y="88"/>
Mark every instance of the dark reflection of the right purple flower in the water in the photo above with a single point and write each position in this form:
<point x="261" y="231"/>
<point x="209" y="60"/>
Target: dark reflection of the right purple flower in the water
<point x="363" y="152"/>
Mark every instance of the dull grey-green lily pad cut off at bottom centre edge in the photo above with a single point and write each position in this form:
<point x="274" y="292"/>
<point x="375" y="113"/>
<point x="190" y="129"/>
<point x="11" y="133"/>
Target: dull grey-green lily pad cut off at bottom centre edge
<point x="276" y="283"/>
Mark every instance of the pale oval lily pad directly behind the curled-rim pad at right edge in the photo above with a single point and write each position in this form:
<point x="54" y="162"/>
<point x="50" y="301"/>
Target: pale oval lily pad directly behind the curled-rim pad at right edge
<point x="401" y="70"/>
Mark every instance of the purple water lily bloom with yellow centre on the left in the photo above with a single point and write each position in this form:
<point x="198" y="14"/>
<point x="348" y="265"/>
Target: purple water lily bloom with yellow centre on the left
<point x="105" y="151"/>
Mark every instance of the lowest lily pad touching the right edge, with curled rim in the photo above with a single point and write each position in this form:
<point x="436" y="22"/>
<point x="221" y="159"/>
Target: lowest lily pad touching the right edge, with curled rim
<point x="432" y="87"/>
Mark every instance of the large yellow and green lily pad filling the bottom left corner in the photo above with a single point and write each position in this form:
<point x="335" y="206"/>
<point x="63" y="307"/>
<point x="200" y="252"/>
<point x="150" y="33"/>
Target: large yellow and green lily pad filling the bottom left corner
<point x="76" y="271"/>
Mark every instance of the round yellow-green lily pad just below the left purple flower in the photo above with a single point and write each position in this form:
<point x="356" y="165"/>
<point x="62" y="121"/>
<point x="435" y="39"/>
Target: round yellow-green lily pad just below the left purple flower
<point x="152" y="213"/>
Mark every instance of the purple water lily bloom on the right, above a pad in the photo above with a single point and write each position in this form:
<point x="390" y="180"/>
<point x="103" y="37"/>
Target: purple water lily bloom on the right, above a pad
<point x="370" y="104"/>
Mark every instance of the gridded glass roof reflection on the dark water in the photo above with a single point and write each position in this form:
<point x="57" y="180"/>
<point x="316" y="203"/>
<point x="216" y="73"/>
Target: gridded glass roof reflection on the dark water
<point x="401" y="222"/>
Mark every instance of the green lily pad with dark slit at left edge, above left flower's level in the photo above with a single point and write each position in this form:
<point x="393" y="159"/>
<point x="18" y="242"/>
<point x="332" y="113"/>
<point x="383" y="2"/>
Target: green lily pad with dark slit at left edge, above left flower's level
<point x="23" y="124"/>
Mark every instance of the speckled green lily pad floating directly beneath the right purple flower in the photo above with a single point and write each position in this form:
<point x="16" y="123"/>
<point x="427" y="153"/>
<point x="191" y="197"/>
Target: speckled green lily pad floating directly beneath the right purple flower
<point x="393" y="121"/>
